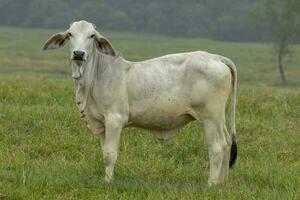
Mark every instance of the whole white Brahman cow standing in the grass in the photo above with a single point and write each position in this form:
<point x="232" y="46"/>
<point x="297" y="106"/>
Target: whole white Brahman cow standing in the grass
<point x="162" y="95"/>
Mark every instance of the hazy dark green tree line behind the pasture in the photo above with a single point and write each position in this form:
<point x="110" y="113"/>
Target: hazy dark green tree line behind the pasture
<point x="224" y="20"/>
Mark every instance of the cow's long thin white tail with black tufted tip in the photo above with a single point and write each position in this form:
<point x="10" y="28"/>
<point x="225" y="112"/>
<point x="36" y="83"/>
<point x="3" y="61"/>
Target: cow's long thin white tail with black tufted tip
<point x="233" y="151"/>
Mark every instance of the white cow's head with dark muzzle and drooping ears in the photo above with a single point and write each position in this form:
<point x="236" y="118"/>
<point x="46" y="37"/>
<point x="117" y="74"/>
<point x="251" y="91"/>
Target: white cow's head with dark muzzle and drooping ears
<point x="84" y="39"/>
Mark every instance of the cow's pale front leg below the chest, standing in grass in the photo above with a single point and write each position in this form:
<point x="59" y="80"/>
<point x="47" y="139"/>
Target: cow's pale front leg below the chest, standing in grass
<point x="110" y="144"/>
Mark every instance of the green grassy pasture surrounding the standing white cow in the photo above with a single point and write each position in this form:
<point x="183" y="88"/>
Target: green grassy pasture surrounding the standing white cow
<point x="46" y="151"/>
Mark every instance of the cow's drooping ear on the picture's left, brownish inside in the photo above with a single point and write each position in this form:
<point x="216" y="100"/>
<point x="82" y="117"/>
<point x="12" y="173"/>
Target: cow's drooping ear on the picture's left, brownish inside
<point x="56" y="41"/>
